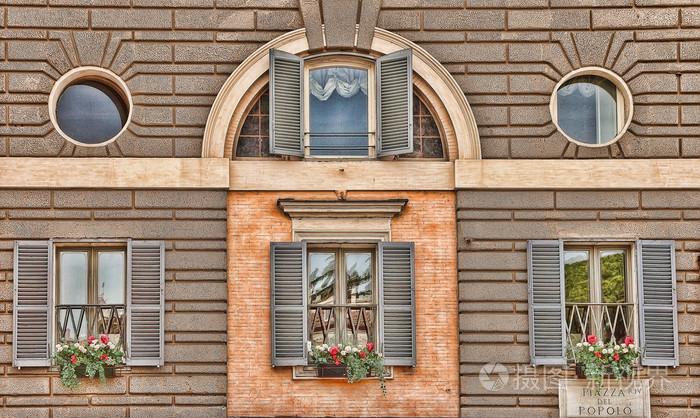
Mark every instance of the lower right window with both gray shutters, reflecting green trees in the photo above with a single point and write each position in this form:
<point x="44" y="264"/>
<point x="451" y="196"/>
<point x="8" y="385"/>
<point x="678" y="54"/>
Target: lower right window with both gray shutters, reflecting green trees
<point x="609" y="289"/>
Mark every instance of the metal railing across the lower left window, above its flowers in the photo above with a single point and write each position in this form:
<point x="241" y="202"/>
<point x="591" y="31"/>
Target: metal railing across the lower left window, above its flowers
<point x="76" y="322"/>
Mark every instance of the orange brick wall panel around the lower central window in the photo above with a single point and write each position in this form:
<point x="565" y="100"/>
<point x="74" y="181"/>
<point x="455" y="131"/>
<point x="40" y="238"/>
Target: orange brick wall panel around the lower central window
<point x="256" y="389"/>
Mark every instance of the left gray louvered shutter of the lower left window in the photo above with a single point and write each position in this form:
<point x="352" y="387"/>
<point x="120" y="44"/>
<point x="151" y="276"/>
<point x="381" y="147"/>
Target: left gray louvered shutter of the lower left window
<point x="33" y="296"/>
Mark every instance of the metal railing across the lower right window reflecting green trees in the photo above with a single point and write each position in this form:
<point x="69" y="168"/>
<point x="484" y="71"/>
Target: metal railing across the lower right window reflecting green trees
<point x="608" y="321"/>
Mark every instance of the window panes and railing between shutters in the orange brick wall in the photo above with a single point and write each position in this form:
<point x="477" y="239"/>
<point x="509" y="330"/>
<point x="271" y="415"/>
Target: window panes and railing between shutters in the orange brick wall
<point x="342" y="296"/>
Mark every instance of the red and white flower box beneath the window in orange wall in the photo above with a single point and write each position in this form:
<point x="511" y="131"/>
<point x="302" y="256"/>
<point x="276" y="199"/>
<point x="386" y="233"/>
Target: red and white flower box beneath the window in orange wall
<point x="355" y="362"/>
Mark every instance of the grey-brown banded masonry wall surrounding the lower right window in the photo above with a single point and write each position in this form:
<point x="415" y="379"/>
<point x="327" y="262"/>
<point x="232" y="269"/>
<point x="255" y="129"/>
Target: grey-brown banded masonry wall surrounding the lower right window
<point x="493" y="229"/>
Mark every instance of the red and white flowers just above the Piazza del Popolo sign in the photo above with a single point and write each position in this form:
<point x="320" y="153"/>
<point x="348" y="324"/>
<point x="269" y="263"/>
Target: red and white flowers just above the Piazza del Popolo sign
<point x="595" y="359"/>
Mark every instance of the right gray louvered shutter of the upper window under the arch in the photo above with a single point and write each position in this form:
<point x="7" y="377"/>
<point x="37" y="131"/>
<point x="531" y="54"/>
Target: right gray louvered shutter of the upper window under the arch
<point x="395" y="104"/>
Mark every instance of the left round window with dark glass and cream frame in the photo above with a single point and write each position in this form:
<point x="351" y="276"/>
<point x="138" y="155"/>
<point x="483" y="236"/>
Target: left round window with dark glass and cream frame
<point x="91" y="106"/>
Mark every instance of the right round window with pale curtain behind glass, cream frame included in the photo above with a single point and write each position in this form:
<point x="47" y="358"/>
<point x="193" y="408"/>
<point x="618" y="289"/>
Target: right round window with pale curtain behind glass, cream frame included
<point x="592" y="107"/>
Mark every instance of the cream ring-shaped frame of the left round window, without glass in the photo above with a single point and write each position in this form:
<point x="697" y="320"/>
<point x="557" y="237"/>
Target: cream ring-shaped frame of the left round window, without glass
<point x="89" y="73"/>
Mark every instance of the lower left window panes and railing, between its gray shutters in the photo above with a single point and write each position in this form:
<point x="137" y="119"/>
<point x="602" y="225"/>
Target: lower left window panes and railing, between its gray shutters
<point x="90" y="295"/>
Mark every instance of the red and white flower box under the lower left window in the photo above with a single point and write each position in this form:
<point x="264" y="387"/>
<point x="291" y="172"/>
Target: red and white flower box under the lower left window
<point x="94" y="357"/>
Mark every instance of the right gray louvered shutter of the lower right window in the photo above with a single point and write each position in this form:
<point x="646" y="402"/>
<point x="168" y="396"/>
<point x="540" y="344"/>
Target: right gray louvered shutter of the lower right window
<point x="658" y="323"/>
